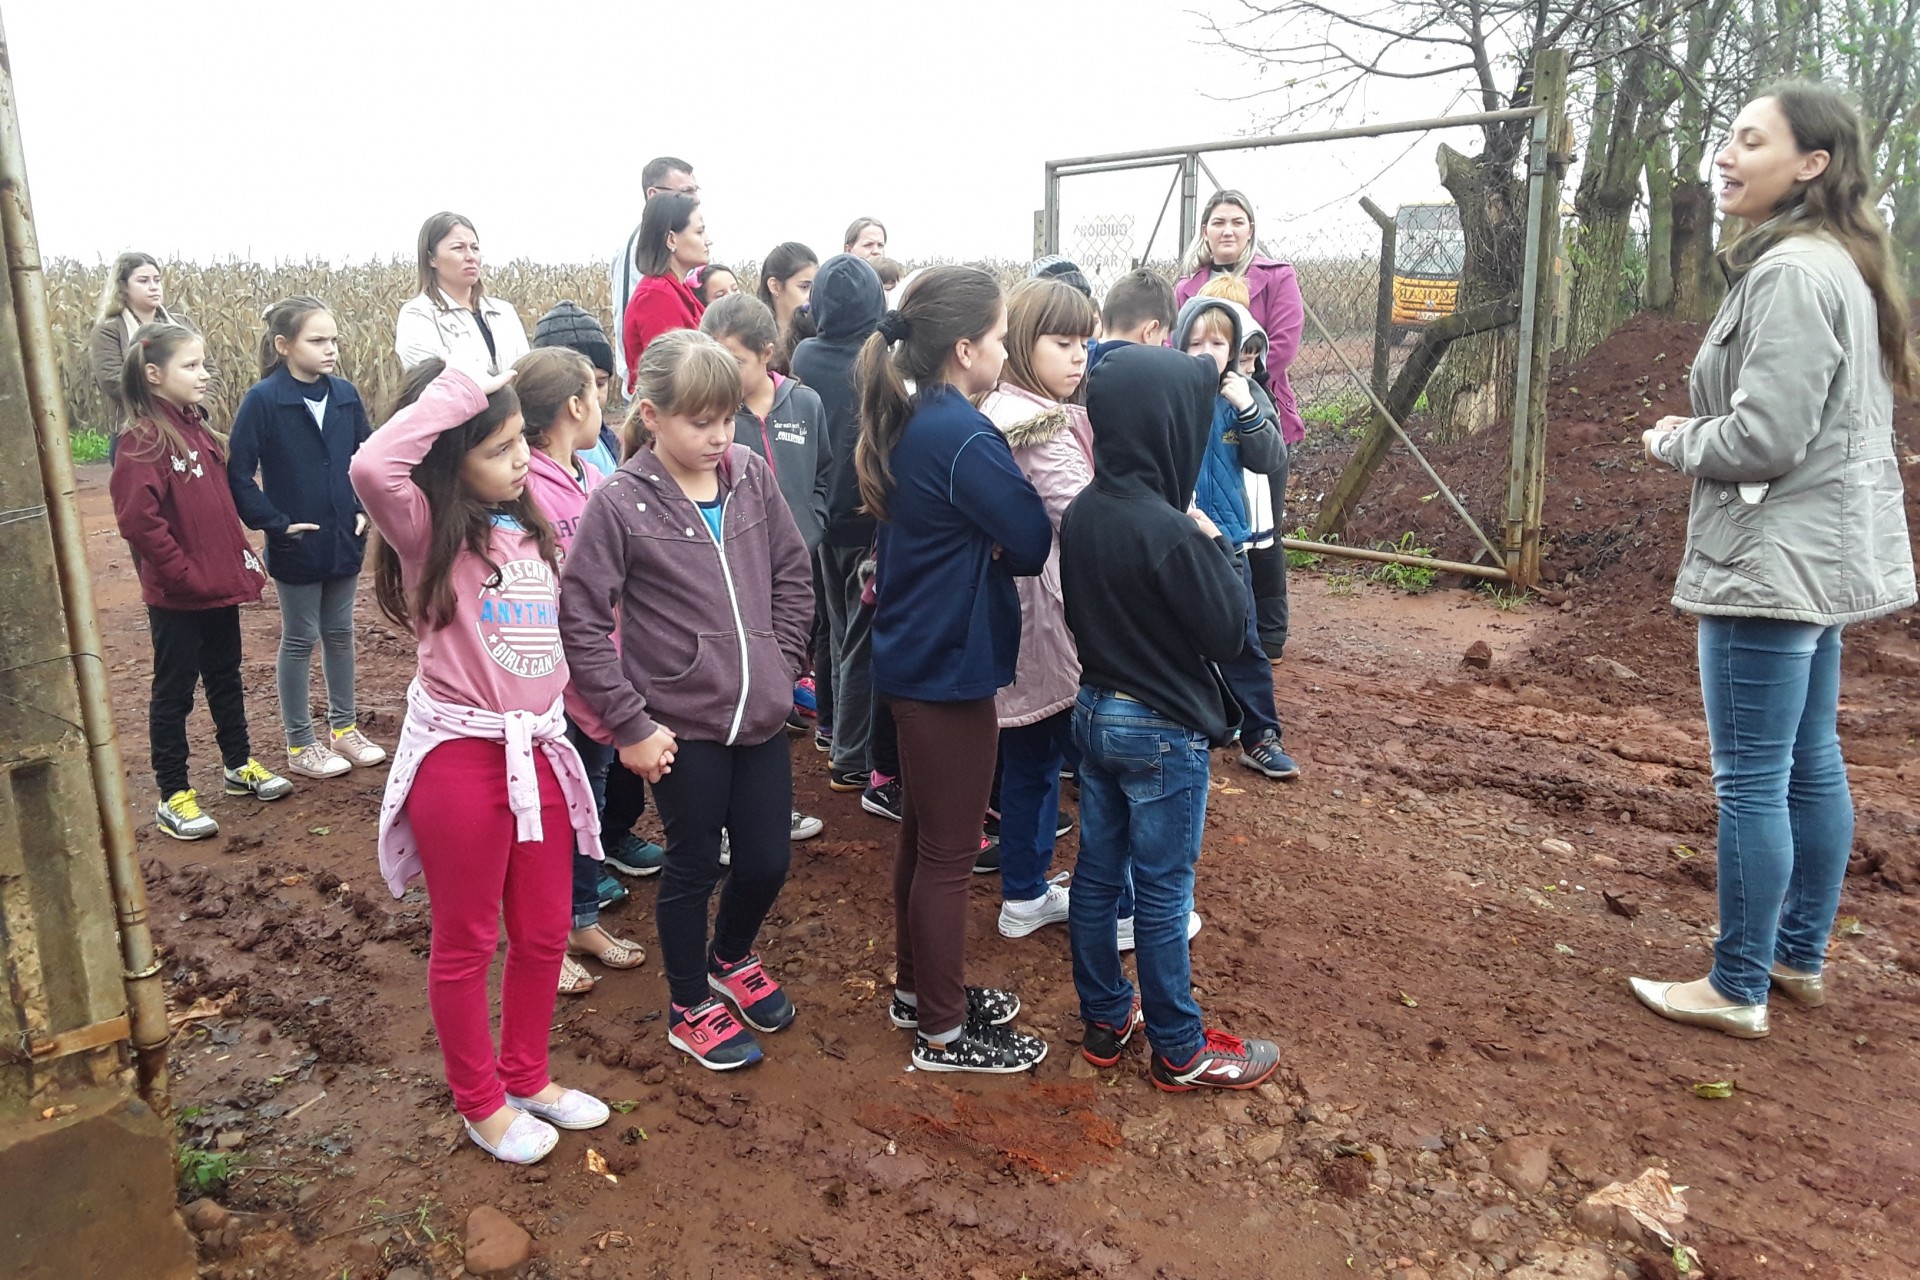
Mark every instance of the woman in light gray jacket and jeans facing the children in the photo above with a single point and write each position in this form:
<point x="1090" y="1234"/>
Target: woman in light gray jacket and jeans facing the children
<point x="1798" y="529"/>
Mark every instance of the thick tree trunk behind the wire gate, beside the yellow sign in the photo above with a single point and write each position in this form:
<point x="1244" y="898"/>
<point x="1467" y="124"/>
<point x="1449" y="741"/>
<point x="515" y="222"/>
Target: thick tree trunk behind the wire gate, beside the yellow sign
<point x="1474" y="387"/>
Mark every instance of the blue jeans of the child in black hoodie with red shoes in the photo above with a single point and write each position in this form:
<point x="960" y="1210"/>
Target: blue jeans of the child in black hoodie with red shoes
<point x="1143" y="809"/>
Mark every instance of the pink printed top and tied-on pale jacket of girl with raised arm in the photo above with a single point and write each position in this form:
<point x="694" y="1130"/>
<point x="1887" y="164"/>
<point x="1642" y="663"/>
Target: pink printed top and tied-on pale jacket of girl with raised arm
<point x="496" y="671"/>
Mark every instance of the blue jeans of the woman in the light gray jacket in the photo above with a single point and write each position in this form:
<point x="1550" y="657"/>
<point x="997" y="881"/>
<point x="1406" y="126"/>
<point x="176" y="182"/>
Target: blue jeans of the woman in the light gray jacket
<point x="1787" y="817"/>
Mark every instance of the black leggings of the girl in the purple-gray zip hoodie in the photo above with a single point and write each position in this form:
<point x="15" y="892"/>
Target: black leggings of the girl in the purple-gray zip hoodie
<point x="746" y="792"/>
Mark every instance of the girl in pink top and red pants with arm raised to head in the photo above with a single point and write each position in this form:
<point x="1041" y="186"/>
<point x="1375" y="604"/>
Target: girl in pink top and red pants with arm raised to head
<point x="487" y="795"/>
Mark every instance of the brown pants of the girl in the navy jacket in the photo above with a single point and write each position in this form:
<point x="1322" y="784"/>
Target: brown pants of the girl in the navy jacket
<point x="946" y="774"/>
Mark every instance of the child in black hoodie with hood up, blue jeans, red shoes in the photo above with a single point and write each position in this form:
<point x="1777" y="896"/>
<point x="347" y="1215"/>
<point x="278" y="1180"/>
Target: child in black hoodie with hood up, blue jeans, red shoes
<point x="1155" y="605"/>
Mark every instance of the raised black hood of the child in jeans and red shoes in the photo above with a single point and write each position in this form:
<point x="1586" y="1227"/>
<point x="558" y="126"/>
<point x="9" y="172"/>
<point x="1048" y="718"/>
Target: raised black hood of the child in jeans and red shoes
<point x="1151" y="414"/>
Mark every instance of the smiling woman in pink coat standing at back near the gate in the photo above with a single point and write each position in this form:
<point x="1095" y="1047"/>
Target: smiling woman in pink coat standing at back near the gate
<point x="1228" y="243"/>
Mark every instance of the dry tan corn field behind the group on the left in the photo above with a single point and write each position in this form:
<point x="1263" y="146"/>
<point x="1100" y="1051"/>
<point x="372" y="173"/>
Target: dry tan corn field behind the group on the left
<point x="228" y="302"/>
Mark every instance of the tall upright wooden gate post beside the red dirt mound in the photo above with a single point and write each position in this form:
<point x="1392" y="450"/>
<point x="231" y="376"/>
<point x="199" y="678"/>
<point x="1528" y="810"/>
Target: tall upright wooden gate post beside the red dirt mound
<point x="1547" y="164"/>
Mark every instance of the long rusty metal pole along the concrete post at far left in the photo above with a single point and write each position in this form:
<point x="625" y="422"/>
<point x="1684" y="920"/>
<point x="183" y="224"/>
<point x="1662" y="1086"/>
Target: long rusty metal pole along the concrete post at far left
<point x="147" y="1005"/>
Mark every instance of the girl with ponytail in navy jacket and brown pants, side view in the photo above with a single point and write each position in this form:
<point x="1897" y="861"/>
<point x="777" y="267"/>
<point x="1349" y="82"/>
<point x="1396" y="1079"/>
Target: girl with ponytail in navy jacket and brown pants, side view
<point x="957" y="525"/>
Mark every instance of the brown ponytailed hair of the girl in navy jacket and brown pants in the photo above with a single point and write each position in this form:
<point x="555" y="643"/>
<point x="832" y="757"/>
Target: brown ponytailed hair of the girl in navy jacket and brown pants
<point x="942" y="308"/>
